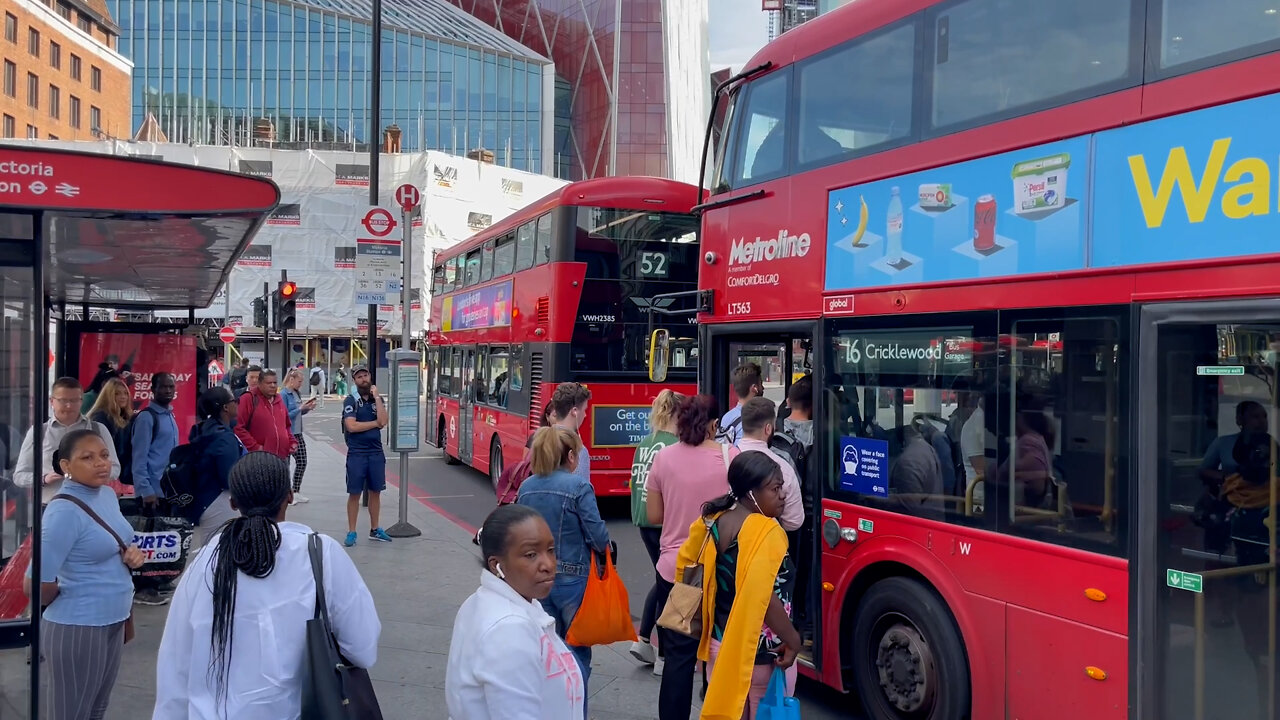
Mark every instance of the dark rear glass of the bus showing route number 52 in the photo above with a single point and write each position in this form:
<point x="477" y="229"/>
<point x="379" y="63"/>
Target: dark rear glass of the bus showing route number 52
<point x="632" y="257"/>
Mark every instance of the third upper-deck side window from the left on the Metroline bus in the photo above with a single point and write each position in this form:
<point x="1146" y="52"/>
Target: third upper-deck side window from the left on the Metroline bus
<point x="991" y="57"/>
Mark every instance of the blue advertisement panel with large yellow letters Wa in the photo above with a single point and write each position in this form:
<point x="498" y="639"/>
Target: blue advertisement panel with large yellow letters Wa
<point x="1188" y="188"/>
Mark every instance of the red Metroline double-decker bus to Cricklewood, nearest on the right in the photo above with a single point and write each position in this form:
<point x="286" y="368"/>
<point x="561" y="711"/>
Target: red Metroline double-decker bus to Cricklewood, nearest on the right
<point x="1028" y="252"/>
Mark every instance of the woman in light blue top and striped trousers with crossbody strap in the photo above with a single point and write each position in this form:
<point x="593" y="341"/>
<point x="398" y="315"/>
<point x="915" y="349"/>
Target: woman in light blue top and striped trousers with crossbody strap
<point x="85" y="582"/>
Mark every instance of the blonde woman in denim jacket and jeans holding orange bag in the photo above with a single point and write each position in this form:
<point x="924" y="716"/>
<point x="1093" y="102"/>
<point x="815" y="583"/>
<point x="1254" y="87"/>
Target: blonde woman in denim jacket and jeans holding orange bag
<point x="568" y="503"/>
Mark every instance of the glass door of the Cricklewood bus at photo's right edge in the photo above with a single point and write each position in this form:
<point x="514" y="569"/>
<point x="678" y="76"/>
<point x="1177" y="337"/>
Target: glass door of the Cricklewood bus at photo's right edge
<point x="1208" y="584"/>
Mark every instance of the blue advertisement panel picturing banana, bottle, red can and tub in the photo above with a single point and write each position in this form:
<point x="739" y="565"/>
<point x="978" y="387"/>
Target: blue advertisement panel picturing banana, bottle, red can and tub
<point x="1007" y="215"/>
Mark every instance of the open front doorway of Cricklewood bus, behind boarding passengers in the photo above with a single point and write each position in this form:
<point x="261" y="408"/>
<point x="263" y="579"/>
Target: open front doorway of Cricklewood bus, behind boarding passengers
<point x="783" y="352"/>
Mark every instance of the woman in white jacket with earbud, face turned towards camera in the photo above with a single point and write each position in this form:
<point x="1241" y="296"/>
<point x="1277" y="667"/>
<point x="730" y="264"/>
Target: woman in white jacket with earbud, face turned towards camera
<point x="506" y="660"/>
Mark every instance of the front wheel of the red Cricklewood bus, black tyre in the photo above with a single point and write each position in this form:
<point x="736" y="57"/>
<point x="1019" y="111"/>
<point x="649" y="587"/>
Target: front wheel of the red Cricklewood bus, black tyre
<point x="909" y="662"/>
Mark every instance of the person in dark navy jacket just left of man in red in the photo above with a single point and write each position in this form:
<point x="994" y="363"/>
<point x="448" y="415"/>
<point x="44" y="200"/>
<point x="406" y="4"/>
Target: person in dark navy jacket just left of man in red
<point x="220" y="452"/>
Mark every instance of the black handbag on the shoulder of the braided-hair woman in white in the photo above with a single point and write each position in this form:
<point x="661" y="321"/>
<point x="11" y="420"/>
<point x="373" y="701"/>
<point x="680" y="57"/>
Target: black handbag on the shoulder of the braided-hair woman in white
<point x="333" y="689"/>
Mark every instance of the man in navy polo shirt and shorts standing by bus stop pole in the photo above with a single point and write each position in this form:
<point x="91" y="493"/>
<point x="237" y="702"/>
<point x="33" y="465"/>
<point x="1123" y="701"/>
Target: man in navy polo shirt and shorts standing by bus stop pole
<point x="364" y="416"/>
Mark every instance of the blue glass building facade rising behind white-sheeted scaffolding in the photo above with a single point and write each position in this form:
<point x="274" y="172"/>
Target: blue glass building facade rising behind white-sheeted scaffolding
<point x="209" y="70"/>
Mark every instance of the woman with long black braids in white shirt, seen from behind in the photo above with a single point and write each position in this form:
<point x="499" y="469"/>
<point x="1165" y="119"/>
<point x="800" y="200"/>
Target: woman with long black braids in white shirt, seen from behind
<point x="235" y="642"/>
